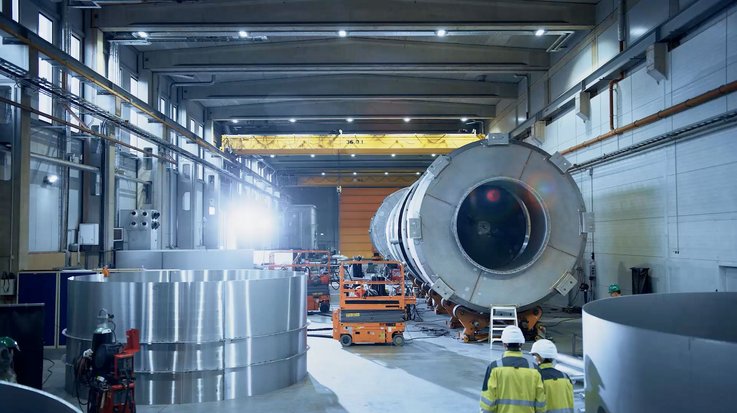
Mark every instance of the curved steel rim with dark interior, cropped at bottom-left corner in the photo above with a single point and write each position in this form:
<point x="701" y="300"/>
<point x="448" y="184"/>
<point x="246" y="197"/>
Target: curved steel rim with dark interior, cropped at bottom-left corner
<point x="17" y="398"/>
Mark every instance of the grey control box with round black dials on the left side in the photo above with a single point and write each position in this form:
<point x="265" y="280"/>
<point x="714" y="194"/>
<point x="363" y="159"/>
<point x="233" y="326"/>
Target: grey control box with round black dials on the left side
<point x="141" y="228"/>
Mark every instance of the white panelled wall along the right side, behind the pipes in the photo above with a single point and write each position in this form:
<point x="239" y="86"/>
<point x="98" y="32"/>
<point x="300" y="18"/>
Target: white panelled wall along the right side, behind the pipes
<point x="672" y="209"/>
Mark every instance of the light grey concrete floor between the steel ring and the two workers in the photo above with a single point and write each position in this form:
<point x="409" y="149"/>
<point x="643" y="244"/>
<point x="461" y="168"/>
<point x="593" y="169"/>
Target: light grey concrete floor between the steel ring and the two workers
<point x="427" y="374"/>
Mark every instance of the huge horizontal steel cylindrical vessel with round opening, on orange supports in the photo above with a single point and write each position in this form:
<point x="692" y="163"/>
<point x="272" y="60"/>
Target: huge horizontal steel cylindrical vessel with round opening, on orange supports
<point x="493" y="222"/>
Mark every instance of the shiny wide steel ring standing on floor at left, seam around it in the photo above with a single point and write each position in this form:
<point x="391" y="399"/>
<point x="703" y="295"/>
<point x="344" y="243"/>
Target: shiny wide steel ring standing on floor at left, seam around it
<point x="205" y="335"/>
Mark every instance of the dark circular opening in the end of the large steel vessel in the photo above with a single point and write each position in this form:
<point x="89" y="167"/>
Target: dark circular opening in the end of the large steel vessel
<point x="501" y="226"/>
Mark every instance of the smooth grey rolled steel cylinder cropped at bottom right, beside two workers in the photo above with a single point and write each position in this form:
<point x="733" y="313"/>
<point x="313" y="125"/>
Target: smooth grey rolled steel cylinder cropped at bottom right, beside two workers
<point x="661" y="353"/>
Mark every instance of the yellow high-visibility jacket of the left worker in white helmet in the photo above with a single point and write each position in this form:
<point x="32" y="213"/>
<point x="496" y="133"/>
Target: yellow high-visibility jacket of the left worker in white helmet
<point x="512" y="385"/>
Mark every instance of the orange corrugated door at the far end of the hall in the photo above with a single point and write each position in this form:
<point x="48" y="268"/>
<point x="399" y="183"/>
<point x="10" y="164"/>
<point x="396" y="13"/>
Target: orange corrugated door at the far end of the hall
<point x="357" y="206"/>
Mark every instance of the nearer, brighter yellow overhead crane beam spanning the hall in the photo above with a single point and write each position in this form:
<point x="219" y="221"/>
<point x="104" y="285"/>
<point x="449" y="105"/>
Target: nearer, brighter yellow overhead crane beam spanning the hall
<point x="344" y="144"/>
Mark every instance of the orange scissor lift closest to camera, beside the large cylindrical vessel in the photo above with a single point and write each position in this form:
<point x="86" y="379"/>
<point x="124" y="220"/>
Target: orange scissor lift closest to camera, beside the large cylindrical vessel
<point x="363" y="318"/>
